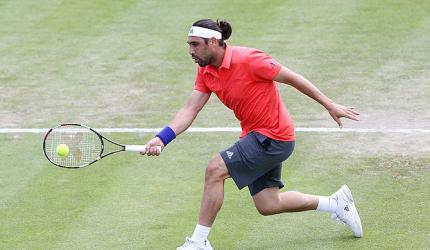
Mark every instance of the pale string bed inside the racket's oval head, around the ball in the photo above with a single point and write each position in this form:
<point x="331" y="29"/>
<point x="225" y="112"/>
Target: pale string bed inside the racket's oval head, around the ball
<point x="84" y="146"/>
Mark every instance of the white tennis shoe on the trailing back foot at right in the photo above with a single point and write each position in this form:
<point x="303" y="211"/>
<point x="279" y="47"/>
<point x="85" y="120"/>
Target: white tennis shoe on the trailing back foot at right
<point x="346" y="212"/>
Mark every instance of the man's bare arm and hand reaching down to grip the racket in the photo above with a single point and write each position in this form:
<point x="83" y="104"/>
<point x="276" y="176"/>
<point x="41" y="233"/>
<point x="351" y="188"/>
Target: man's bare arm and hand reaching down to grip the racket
<point x="183" y="119"/>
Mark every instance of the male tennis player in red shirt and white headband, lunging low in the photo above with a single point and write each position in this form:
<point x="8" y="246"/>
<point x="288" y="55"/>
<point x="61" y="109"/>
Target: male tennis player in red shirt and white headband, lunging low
<point x="244" y="80"/>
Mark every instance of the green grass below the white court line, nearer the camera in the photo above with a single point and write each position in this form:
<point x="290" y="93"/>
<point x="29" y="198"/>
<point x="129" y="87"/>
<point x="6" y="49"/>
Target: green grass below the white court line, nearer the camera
<point x="129" y="201"/>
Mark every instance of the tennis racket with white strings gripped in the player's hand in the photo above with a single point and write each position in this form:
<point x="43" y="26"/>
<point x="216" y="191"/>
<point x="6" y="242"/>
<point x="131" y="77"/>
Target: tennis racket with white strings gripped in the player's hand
<point x="76" y="146"/>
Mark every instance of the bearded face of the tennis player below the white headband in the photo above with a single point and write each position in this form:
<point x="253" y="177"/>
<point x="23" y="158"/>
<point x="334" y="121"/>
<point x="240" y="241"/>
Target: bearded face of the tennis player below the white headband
<point x="199" y="51"/>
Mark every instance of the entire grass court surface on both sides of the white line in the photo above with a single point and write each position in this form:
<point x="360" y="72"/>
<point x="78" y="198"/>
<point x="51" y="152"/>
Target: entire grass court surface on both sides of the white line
<point x="125" y="64"/>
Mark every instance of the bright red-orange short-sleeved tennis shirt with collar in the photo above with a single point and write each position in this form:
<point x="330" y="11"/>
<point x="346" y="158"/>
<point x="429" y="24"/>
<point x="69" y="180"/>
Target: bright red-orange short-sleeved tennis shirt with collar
<point x="244" y="83"/>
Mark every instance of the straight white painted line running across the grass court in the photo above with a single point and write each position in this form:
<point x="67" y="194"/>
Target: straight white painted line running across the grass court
<point x="225" y="129"/>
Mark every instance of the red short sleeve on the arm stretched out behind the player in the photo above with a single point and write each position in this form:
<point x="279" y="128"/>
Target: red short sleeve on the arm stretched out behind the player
<point x="263" y="66"/>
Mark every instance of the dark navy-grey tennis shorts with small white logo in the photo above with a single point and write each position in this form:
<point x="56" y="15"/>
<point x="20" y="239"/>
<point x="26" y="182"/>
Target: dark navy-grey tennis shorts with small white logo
<point x="256" y="161"/>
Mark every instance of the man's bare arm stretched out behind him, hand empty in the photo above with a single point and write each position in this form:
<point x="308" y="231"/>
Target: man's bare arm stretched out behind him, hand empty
<point x="297" y="81"/>
